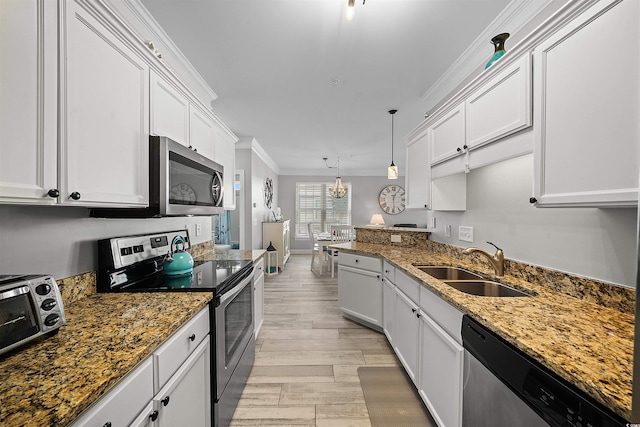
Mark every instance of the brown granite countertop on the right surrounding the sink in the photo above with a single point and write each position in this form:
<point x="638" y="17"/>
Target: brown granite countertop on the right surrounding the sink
<point x="588" y="345"/>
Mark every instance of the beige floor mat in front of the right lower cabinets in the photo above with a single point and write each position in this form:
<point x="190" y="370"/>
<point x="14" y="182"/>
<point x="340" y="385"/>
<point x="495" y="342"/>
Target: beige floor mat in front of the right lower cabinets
<point x="391" y="398"/>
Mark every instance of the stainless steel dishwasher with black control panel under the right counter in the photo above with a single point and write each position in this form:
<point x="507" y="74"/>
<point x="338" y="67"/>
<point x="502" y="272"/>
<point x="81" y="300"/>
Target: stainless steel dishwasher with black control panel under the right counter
<point x="505" y="388"/>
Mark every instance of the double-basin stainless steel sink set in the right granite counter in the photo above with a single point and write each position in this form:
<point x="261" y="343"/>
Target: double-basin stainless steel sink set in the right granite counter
<point x="470" y="283"/>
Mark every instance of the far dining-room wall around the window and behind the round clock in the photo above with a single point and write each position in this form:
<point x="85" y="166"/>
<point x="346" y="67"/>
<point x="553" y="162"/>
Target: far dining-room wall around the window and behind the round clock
<point x="364" y="201"/>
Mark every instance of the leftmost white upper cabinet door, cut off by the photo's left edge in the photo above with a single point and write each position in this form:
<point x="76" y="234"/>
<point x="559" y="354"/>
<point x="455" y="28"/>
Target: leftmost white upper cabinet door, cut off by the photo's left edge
<point x="28" y="105"/>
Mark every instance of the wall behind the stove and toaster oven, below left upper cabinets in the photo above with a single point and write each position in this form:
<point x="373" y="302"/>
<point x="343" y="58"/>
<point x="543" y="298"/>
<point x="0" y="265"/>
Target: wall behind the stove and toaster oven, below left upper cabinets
<point x="62" y="241"/>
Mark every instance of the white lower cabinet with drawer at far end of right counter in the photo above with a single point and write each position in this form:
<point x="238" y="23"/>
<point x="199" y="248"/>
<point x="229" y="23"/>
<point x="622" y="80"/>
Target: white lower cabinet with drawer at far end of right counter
<point x="360" y="288"/>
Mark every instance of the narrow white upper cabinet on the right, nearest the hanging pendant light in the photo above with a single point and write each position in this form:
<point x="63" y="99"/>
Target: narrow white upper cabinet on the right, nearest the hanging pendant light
<point x="418" y="176"/>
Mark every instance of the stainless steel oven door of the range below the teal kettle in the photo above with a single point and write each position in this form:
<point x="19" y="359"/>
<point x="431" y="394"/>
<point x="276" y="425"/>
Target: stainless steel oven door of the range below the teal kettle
<point x="234" y="330"/>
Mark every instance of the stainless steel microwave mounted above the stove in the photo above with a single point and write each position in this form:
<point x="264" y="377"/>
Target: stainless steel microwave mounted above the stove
<point x="182" y="182"/>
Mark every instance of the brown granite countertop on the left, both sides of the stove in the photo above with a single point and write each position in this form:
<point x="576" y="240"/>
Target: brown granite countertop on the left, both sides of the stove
<point x="52" y="380"/>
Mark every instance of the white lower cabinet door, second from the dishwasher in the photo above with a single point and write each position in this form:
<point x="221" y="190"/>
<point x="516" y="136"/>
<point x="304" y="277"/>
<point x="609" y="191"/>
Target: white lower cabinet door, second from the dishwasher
<point x="407" y="335"/>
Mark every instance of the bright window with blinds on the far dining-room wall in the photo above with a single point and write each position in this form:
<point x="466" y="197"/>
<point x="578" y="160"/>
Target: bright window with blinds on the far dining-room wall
<point x="314" y="205"/>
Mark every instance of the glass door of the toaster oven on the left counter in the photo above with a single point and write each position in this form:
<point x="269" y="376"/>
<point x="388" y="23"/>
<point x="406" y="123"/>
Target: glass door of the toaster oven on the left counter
<point x="18" y="321"/>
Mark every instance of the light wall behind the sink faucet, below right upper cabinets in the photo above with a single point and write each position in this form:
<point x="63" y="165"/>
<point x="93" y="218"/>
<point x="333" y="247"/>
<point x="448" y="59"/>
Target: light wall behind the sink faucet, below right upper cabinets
<point x="589" y="242"/>
